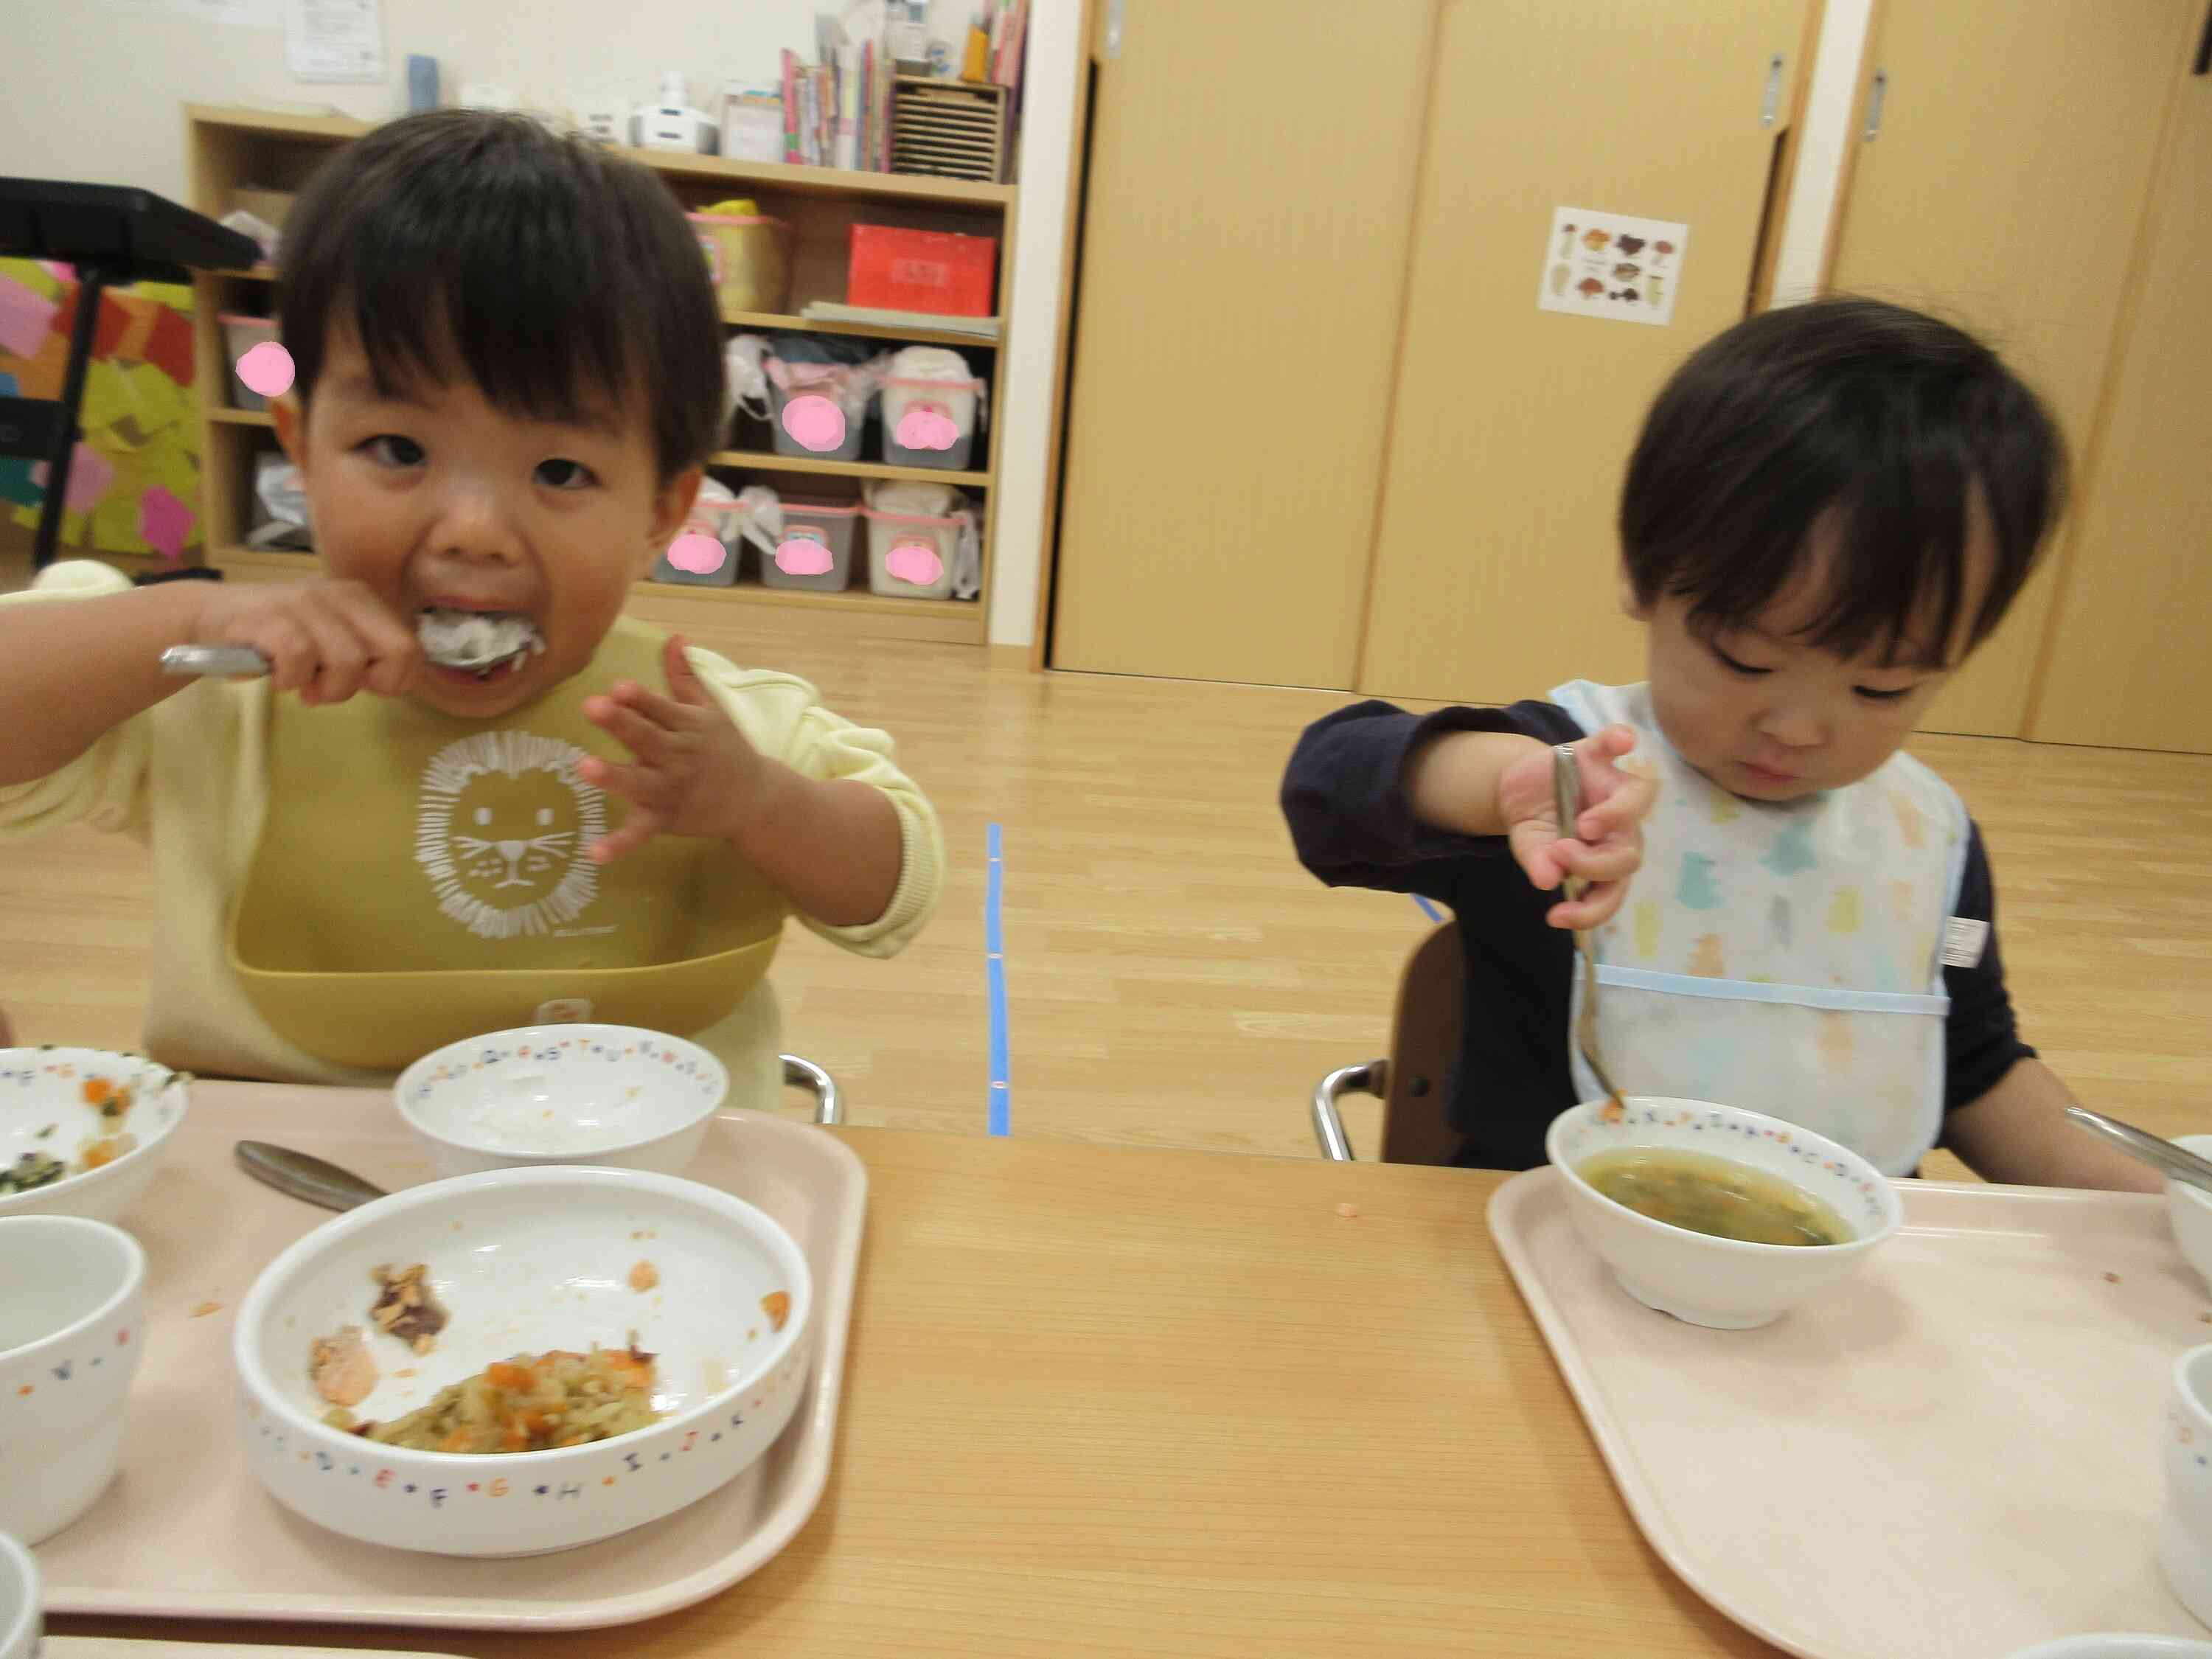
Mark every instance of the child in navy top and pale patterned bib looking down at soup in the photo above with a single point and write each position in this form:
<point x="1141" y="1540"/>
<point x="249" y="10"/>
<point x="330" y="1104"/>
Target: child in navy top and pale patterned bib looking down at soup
<point x="1826" y="512"/>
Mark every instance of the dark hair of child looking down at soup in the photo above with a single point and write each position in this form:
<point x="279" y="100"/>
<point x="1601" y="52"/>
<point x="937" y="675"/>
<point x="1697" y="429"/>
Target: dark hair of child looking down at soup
<point x="1881" y="417"/>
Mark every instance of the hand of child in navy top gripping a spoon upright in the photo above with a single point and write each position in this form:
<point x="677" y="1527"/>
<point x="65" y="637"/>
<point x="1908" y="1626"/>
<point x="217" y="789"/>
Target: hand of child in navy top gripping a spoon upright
<point x="1605" y="848"/>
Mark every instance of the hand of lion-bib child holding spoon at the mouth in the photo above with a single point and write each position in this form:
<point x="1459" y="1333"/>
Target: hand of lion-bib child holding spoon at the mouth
<point x="324" y="640"/>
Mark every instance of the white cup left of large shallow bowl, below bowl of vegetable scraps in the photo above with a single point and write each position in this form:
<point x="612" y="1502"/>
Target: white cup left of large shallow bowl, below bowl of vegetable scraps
<point x="70" y="1346"/>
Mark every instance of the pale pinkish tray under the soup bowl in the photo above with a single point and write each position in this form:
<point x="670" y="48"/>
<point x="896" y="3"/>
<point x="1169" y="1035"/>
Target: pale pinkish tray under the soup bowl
<point x="1954" y="1457"/>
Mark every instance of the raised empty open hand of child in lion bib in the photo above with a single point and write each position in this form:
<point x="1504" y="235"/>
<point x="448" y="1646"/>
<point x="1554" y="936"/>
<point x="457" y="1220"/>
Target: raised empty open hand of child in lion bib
<point x="696" y="775"/>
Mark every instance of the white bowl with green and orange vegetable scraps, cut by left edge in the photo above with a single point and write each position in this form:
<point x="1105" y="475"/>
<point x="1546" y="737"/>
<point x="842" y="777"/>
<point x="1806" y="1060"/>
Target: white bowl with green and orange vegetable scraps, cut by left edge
<point x="48" y="1107"/>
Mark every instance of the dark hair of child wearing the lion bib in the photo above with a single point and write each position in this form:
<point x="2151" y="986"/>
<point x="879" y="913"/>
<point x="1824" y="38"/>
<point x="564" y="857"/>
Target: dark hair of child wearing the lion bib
<point x="545" y="269"/>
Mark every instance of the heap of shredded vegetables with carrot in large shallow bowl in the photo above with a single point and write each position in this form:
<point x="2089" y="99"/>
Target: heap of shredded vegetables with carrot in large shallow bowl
<point x="528" y="1404"/>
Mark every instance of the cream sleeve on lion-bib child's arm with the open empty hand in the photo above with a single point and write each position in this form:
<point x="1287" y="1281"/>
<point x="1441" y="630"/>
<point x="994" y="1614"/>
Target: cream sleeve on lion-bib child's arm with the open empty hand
<point x="784" y="718"/>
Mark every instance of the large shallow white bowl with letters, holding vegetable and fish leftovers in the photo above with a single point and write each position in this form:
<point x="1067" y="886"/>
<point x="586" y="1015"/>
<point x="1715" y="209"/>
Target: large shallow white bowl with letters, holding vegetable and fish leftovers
<point x="528" y="1262"/>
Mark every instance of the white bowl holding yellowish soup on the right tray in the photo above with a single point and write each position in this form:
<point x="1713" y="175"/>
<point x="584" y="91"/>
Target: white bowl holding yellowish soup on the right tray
<point x="1702" y="1280"/>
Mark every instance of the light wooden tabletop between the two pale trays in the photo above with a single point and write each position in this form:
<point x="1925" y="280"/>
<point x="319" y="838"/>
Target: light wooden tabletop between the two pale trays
<point x="1173" y="1404"/>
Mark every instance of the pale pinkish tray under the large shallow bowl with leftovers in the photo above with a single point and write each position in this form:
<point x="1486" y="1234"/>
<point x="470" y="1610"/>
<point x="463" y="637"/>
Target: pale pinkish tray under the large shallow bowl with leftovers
<point x="187" y="1532"/>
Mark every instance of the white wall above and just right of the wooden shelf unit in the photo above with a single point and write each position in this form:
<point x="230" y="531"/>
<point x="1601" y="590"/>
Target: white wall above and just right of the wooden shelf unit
<point x="94" y="92"/>
